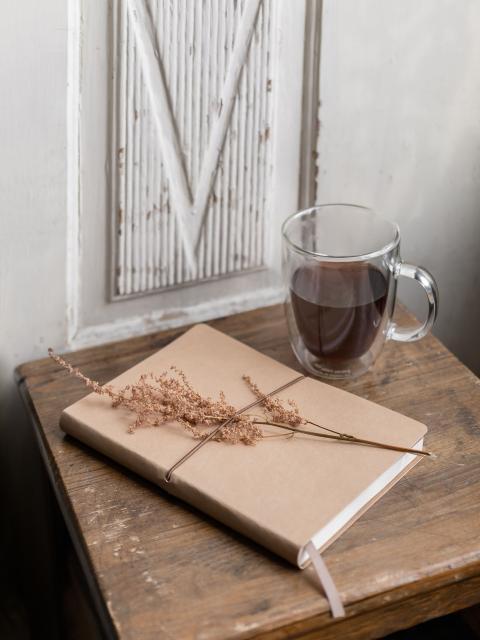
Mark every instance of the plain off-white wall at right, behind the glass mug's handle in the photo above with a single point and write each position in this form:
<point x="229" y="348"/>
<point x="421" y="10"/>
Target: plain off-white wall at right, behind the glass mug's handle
<point x="400" y="132"/>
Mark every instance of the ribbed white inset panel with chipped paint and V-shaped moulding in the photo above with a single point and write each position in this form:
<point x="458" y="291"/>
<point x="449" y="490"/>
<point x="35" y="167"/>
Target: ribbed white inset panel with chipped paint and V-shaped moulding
<point x="192" y="144"/>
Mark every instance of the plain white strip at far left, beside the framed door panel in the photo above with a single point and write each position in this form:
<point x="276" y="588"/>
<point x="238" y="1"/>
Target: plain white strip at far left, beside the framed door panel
<point x="33" y="185"/>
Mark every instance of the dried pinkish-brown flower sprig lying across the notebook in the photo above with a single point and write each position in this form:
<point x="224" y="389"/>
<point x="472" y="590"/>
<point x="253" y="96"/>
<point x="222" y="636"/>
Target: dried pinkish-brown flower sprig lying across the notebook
<point x="160" y="399"/>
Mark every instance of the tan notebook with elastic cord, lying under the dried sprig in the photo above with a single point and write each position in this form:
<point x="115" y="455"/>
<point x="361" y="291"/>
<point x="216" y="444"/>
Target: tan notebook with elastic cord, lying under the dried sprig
<point x="282" y="493"/>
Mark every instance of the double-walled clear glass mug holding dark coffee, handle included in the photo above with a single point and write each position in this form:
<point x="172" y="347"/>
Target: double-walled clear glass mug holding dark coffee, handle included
<point x="341" y="264"/>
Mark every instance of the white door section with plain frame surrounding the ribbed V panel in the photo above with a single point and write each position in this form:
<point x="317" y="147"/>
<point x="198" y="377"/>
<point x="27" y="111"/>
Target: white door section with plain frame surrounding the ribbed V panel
<point x="230" y="151"/>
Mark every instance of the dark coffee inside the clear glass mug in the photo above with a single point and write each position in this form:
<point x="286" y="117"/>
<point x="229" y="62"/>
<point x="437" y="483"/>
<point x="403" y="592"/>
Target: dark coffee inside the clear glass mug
<point x="338" y="308"/>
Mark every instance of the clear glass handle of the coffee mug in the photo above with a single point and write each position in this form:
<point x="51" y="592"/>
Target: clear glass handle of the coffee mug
<point x="427" y="281"/>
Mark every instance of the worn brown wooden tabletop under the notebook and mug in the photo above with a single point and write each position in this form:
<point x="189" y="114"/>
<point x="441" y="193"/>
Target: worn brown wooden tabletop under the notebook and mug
<point x="161" y="569"/>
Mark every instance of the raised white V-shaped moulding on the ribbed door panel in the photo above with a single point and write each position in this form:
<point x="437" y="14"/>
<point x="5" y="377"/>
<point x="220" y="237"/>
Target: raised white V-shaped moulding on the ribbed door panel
<point x="190" y="213"/>
